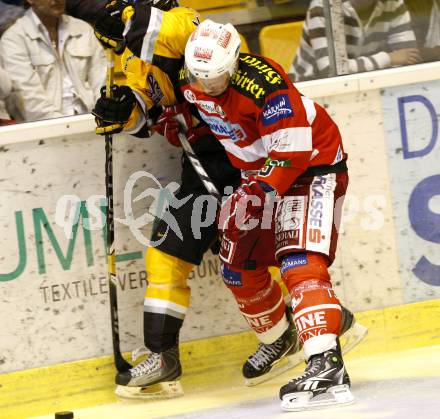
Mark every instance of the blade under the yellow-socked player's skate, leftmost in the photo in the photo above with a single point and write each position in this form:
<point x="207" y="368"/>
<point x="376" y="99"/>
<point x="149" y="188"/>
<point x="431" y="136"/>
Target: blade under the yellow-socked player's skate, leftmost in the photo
<point x="164" y="390"/>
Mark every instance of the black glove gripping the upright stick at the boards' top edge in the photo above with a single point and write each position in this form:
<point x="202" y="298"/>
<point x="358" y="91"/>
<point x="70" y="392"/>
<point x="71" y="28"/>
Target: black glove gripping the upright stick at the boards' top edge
<point x="111" y="114"/>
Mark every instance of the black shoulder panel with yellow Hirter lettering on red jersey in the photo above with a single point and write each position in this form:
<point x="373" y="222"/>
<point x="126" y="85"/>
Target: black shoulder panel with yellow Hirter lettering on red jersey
<point x="258" y="77"/>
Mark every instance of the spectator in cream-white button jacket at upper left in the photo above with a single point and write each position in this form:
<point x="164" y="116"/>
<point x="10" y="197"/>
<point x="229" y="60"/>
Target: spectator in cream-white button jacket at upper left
<point x="55" y="62"/>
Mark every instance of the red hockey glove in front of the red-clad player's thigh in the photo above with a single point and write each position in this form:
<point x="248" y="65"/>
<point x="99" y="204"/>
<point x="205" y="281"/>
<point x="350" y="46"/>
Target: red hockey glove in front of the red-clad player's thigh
<point x="246" y="203"/>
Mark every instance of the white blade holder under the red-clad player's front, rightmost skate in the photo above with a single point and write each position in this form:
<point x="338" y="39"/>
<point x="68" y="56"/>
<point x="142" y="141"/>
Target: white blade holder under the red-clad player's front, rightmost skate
<point x="335" y="396"/>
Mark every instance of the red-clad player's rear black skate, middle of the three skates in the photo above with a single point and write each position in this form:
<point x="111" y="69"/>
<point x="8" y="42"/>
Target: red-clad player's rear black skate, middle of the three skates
<point x="270" y="360"/>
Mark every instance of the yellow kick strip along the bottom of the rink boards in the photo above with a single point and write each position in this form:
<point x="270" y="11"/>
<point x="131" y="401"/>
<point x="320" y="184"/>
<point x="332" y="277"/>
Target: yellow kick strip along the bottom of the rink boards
<point x="215" y="364"/>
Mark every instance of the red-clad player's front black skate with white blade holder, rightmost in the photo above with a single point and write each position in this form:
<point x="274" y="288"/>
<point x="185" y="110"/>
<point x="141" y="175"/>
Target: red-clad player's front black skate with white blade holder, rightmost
<point x="324" y="383"/>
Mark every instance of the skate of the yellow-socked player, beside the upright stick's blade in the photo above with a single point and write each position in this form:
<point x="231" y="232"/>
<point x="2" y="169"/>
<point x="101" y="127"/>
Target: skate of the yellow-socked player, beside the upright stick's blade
<point x="156" y="377"/>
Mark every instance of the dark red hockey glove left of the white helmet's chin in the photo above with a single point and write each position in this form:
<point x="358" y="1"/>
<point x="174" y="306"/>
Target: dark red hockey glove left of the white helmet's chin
<point x="175" y="119"/>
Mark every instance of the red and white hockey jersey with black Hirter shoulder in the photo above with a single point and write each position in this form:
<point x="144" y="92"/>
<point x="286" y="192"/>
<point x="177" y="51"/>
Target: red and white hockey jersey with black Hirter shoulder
<point x="265" y="124"/>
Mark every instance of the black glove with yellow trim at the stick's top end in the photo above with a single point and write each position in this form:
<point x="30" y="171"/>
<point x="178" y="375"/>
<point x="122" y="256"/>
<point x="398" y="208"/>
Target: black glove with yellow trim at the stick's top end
<point x="109" y="26"/>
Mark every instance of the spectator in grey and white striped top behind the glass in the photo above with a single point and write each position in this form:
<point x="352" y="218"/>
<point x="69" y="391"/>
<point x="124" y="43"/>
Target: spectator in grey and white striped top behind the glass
<point x="378" y="35"/>
